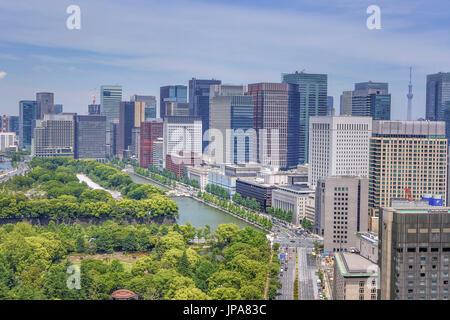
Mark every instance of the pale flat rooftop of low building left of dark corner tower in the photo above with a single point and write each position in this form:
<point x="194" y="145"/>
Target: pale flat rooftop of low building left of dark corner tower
<point x="354" y="265"/>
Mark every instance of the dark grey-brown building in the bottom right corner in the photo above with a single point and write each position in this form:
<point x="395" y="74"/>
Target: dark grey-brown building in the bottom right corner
<point x="414" y="253"/>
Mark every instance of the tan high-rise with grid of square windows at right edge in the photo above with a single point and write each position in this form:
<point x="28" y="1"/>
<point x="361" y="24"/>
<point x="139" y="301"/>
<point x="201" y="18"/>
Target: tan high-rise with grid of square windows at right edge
<point x="406" y="154"/>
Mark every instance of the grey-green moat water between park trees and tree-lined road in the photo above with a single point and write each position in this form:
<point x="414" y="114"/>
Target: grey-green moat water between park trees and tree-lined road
<point x="197" y="213"/>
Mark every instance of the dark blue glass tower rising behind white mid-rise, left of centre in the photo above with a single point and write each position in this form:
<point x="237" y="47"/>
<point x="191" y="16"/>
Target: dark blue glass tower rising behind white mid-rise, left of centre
<point x="199" y="102"/>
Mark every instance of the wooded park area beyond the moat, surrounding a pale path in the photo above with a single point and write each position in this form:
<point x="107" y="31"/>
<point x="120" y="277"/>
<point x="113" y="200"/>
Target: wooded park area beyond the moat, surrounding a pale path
<point x="51" y="190"/>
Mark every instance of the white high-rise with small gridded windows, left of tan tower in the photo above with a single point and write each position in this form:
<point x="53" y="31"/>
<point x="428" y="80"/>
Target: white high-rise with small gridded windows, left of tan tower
<point x="339" y="145"/>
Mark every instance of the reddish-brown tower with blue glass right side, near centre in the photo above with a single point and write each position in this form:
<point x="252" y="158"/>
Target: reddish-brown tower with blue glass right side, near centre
<point x="275" y="114"/>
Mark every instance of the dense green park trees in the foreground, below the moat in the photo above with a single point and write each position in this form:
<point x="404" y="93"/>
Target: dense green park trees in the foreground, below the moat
<point x="233" y="263"/>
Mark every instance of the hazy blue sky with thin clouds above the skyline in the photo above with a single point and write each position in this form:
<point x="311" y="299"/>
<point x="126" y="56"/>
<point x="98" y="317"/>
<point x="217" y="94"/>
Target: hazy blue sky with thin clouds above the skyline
<point x="145" y="44"/>
